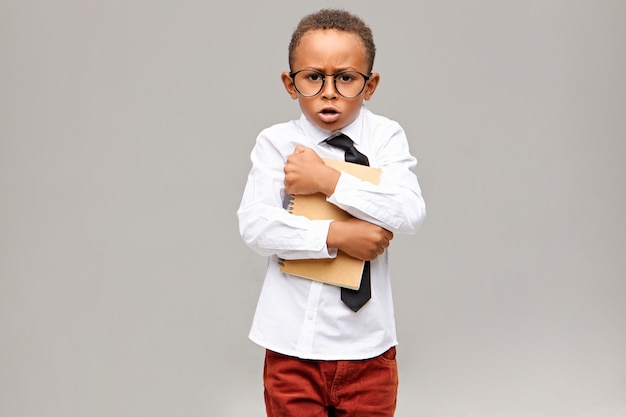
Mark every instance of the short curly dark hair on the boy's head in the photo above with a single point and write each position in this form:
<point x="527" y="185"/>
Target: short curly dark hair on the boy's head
<point x="334" y="19"/>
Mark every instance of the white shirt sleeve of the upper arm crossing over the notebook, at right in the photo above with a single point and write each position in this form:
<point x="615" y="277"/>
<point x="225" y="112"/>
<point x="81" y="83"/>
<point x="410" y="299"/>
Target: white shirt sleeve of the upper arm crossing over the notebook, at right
<point x="395" y="204"/>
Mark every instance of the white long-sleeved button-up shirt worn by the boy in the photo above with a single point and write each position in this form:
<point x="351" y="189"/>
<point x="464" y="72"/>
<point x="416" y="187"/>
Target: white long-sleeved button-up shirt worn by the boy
<point x="299" y="317"/>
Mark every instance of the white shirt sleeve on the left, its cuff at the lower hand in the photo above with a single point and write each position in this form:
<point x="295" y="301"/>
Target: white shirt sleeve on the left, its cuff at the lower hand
<point x="265" y="224"/>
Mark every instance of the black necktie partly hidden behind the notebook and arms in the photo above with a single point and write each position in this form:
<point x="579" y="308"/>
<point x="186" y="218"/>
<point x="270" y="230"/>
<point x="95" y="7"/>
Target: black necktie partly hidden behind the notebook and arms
<point x="355" y="299"/>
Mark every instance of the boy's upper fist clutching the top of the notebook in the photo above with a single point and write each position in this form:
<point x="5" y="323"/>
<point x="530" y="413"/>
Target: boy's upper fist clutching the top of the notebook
<point x="306" y="173"/>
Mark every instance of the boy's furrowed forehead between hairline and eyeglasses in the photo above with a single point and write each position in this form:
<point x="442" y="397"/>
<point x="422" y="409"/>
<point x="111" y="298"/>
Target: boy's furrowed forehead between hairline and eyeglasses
<point x="330" y="49"/>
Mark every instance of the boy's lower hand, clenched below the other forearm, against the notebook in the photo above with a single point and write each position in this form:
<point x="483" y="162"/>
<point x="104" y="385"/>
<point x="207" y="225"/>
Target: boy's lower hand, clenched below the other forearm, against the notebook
<point x="358" y="238"/>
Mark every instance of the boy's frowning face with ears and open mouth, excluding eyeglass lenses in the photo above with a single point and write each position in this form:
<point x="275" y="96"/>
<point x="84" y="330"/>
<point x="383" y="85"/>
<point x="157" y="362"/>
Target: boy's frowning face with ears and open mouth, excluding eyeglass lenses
<point x="329" y="52"/>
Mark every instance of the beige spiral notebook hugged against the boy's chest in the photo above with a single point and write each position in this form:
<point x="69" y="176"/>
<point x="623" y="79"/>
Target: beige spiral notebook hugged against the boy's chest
<point x="344" y="270"/>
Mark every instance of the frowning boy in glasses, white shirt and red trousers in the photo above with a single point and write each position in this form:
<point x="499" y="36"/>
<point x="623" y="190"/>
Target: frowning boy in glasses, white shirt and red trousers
<point x="324" y="357"/>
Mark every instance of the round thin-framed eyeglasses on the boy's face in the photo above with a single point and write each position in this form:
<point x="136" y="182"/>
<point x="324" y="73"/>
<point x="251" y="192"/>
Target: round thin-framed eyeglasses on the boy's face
<point x="348" y="84"/>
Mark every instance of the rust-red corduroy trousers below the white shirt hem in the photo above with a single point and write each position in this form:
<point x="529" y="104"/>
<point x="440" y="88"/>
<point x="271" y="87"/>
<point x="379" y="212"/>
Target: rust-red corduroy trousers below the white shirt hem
<point x="308" y="388"/>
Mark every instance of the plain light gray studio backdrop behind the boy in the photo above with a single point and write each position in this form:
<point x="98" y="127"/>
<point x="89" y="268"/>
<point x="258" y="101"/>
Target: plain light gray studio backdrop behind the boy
<point x="125" y="131"/>
